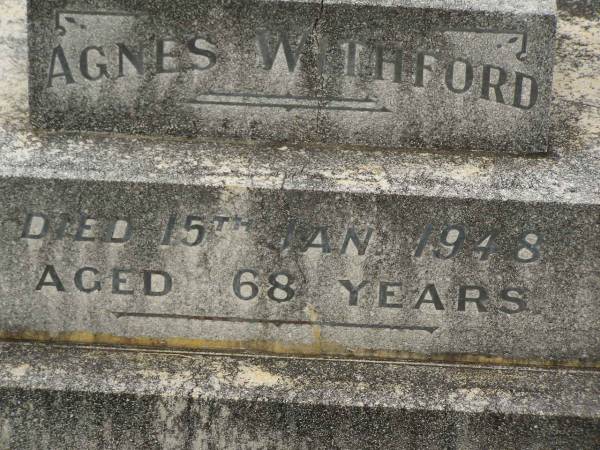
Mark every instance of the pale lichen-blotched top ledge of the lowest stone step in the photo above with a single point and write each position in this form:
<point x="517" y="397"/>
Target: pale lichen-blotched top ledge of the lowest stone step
<point x="329" y="382"/>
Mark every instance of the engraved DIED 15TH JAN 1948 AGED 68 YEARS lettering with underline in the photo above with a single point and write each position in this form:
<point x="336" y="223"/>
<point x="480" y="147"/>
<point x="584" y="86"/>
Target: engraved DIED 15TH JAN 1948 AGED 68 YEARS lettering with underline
<point x="282" y="286"/>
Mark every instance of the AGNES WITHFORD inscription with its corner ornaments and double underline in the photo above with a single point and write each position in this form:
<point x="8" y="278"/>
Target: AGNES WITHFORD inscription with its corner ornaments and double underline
<point x="374" y="62"/>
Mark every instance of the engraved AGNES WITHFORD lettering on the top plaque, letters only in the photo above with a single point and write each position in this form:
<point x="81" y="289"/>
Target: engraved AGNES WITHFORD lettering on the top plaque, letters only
<point x="295" y="53"/>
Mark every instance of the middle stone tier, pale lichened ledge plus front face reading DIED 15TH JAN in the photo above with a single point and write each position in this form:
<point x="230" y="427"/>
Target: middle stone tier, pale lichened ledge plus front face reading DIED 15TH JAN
<point x="147" y="181"/>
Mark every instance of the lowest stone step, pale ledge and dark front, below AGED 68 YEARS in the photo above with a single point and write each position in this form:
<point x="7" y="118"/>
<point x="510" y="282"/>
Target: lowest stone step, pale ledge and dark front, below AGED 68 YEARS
<point x="56" y="397"/>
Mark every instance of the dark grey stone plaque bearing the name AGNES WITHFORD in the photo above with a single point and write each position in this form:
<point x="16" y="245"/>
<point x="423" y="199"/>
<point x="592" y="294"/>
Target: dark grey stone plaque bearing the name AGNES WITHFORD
<point x="452" y="75"/>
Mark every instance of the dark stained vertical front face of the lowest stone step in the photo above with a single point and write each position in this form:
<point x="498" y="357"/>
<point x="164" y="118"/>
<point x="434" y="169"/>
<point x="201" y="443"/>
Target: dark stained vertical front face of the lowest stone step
<point x="75" y="420"/>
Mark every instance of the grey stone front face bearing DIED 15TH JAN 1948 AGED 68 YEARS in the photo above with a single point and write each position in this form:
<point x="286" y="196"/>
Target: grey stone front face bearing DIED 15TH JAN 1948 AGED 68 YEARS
<point x="294" y="271"/>
